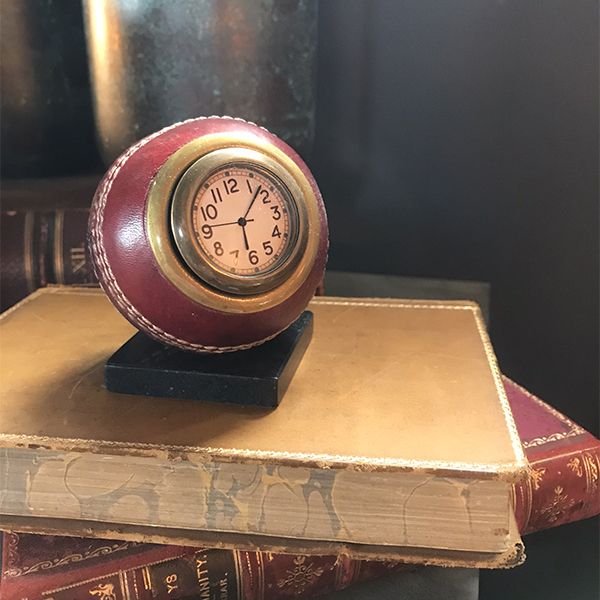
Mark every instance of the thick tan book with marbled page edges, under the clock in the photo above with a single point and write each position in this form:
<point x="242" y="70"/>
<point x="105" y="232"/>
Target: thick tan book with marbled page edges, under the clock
<point x="388" y="392"/>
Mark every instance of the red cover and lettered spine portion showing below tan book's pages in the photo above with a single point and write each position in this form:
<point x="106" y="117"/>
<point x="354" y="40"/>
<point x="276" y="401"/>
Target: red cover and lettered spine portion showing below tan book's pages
<point x="38" y="567"/>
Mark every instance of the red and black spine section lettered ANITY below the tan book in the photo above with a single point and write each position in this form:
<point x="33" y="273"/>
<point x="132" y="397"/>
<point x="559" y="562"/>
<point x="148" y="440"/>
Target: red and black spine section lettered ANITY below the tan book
<point x="227" y="575"/>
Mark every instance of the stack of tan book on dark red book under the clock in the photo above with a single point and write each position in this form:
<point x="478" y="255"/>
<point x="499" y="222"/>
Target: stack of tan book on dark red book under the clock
<point x="398" y="444"/>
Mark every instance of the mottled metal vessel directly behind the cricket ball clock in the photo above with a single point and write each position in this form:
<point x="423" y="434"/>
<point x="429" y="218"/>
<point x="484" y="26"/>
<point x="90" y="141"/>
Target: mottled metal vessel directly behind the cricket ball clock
<point x="157" y="62"/>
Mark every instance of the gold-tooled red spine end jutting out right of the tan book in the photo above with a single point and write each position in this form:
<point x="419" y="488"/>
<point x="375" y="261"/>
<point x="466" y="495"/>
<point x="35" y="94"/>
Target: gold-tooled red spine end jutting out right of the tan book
<point x="562" y="487"/>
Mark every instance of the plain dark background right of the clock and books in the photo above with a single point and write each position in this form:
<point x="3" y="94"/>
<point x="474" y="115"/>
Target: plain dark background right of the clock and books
<point x="460" y="140"/>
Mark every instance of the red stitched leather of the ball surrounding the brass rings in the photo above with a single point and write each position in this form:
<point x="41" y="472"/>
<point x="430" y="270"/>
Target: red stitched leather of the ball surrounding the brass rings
<point x="136" y="280"/>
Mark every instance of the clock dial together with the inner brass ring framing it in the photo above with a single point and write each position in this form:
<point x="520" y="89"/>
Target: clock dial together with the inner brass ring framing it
<point x="235" y="222"/>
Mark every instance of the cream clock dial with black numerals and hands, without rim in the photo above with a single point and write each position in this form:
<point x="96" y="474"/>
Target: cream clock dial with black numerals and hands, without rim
<point x="241" y="220"/>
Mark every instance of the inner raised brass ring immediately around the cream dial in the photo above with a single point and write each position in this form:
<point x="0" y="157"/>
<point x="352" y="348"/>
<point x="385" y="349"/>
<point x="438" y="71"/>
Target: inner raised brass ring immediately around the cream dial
<point x="185" y="236"/>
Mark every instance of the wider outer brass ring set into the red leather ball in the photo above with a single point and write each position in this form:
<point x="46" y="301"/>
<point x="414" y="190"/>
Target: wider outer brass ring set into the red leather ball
<point x="158" y="226"/>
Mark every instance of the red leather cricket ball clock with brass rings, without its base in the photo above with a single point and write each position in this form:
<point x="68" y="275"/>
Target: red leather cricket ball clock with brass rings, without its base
<point x="209" y="235"/>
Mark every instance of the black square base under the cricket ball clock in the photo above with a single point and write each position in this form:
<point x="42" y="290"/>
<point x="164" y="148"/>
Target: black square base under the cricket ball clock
<point x="259" y="376"/>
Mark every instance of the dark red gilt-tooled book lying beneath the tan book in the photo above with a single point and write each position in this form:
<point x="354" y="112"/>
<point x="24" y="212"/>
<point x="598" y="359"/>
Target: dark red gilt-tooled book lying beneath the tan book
<point x="563" y="487"/>
